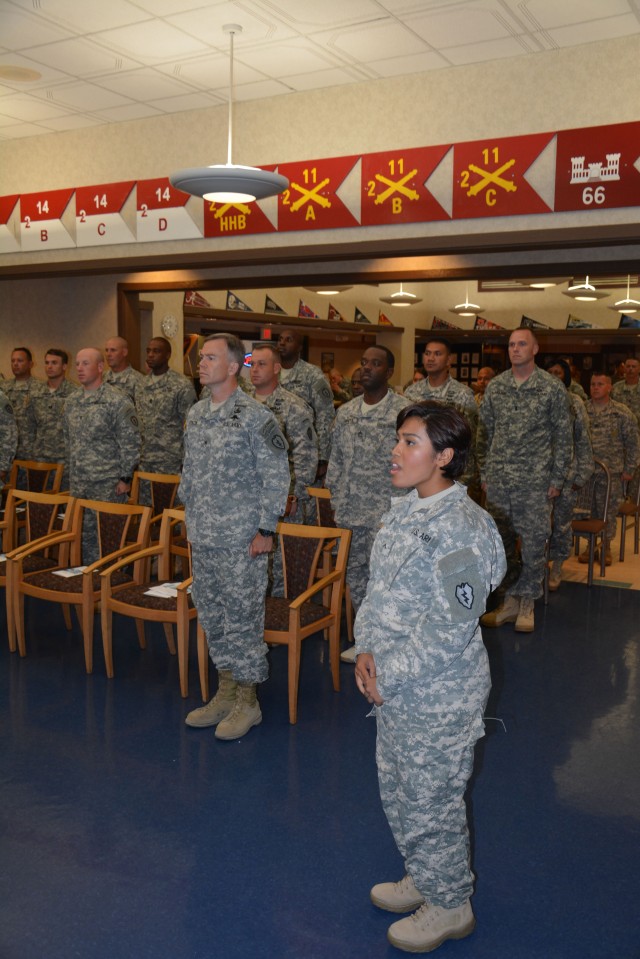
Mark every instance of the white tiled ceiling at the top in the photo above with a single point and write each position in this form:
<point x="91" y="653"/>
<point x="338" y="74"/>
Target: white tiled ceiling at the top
<point x="107" y="61"/>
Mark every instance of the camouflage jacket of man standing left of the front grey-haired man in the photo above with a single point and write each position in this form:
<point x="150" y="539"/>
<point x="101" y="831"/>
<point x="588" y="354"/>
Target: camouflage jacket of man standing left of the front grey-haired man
<point x="162" y="404"/>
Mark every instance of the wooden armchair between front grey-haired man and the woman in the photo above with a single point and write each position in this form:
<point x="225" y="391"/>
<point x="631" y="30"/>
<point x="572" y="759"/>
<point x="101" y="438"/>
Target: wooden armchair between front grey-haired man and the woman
<point x="290" y="619"/>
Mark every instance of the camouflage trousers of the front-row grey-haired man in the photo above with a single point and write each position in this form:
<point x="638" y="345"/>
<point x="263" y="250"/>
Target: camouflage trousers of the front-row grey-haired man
<point x="229" y="589"/>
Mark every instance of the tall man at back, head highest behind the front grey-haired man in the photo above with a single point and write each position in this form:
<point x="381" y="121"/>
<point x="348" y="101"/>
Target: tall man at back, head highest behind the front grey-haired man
<point x="309" y="383"/>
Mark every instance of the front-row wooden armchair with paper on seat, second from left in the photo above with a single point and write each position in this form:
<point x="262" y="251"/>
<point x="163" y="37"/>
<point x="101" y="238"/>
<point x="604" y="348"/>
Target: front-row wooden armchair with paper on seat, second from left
<point x="82" y="588"/>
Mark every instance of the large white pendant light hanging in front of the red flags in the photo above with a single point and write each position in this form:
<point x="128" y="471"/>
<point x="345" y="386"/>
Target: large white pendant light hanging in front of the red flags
<point x="228" y="182"/>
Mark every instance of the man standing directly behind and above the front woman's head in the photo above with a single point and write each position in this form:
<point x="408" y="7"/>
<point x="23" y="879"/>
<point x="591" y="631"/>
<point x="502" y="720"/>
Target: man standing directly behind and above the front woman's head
<point x="439" y="385"/>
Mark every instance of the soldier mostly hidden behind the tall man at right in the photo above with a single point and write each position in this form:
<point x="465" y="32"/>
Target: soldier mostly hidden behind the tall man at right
<point x="579" y="472"/>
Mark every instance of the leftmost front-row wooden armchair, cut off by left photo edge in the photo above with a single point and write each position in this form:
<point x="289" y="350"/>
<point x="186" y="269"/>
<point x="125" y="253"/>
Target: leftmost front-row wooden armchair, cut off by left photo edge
<point x="41" y="515"/>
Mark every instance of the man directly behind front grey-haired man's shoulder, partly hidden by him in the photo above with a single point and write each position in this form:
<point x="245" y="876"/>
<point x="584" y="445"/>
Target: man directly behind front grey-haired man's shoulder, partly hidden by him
<point x="295" y="420"/>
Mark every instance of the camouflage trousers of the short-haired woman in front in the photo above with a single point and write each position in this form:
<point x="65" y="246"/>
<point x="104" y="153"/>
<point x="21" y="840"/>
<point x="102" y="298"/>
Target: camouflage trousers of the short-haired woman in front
<point x="424" y="766"/>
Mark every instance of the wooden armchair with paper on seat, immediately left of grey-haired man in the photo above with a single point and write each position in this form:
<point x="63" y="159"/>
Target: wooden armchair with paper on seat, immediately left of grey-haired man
<point x="135" y="601"/>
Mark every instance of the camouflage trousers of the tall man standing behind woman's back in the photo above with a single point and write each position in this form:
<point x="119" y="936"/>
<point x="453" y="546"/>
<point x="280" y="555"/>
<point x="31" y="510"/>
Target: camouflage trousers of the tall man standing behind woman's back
<point x="522" y="515"/>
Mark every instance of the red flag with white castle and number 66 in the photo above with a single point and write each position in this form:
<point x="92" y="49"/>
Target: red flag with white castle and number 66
<point x="598" y="167"/>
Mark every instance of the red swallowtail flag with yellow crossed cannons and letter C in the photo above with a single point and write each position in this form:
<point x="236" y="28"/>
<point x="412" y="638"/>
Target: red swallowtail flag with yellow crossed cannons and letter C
<point x="489" y="176"/>
